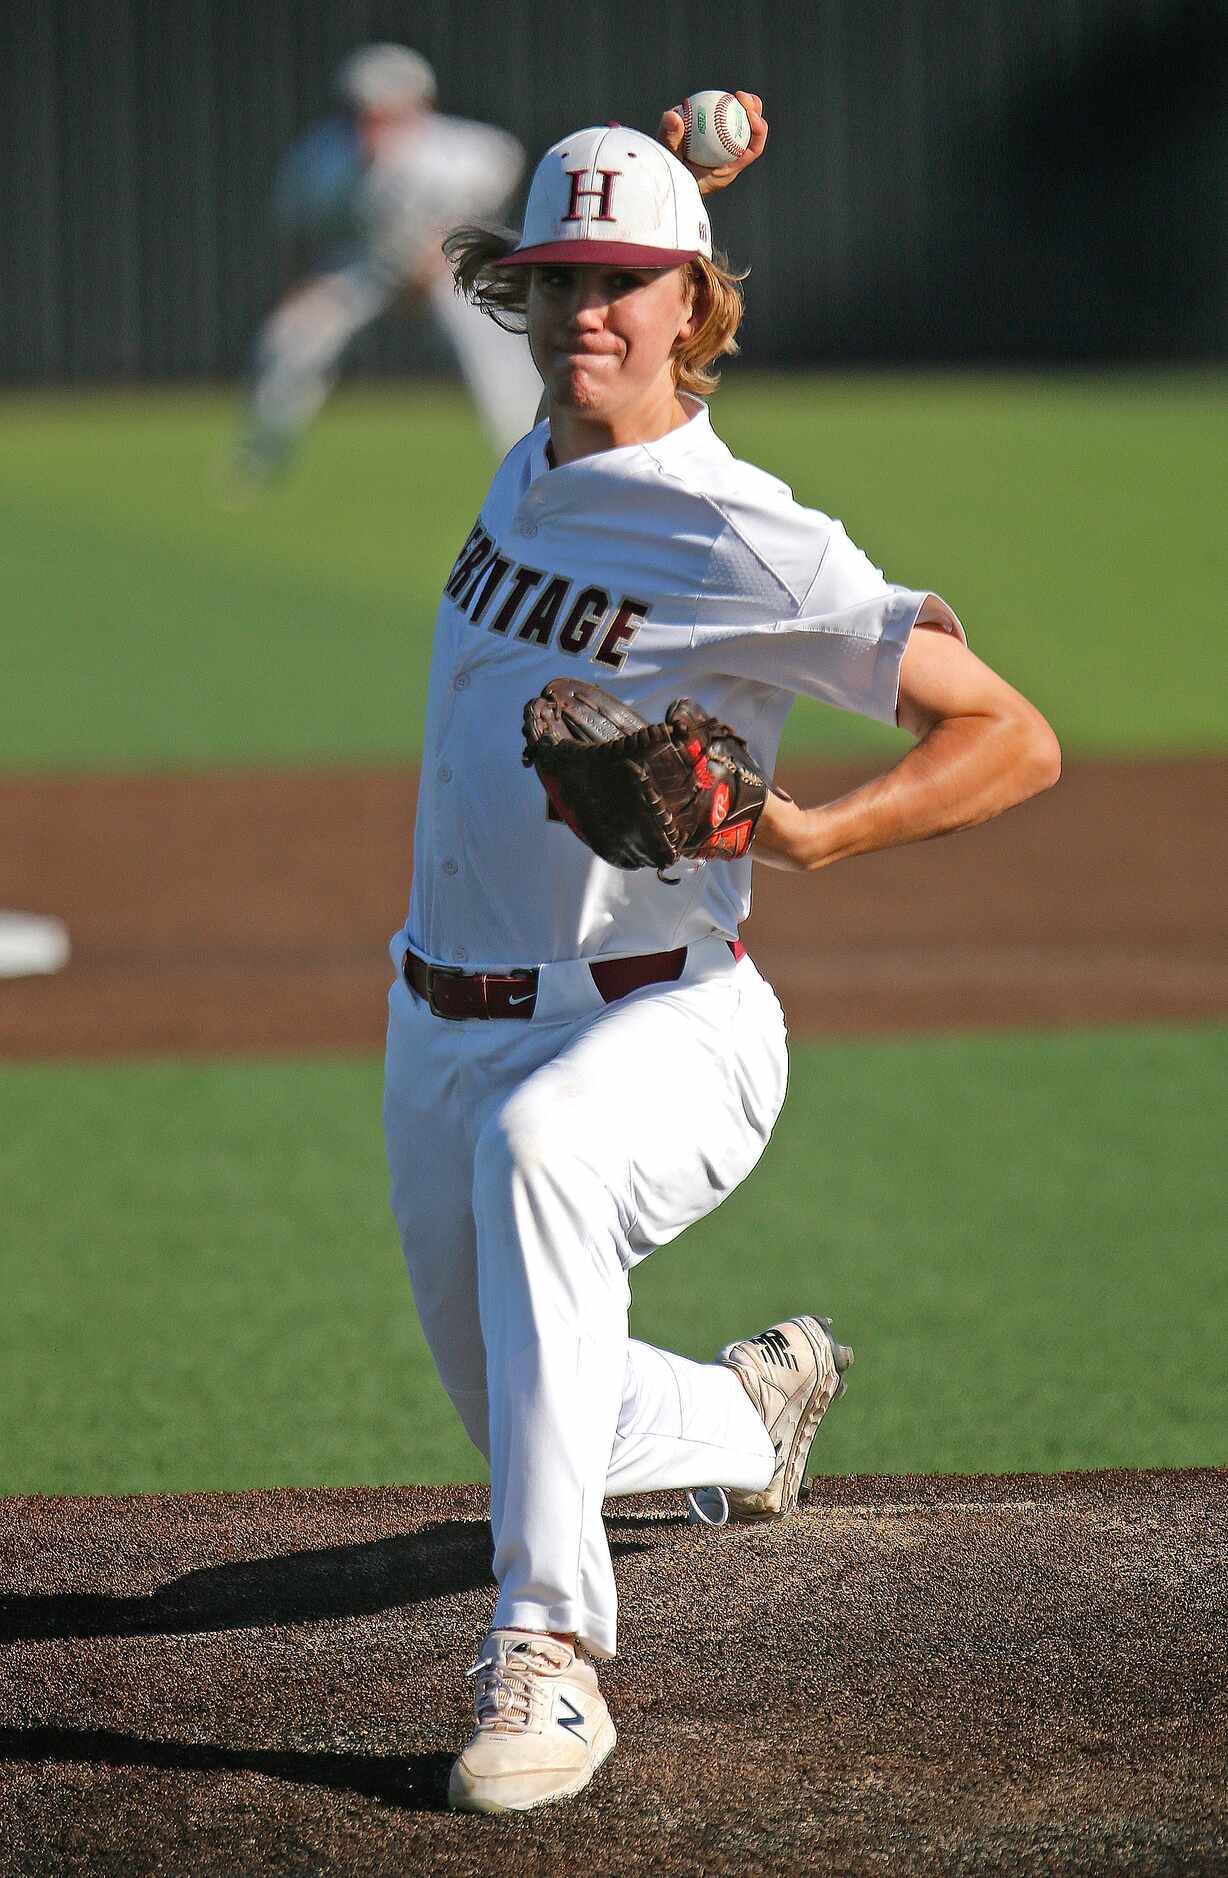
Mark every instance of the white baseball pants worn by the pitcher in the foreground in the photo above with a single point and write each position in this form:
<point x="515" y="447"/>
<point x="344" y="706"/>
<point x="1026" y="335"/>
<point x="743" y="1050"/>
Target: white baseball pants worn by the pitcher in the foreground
<point x="532" y="1167"/>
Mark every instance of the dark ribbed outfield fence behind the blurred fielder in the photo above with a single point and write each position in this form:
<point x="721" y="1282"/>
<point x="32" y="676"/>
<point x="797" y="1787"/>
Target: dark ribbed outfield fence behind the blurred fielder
<point x="949" y="179"/>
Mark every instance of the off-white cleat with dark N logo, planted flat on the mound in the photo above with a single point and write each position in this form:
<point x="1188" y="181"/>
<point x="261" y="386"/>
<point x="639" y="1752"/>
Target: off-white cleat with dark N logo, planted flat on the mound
<point x="544" y="1729"/>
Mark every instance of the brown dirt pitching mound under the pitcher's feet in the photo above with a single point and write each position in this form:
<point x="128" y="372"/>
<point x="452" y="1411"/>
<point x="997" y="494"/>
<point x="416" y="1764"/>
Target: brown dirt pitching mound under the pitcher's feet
<point x="912" y="1676"/>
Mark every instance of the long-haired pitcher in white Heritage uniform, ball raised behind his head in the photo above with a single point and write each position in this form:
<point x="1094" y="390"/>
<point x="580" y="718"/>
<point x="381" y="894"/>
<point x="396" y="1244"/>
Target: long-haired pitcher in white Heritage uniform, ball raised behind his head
<point x="583" y="1060"/>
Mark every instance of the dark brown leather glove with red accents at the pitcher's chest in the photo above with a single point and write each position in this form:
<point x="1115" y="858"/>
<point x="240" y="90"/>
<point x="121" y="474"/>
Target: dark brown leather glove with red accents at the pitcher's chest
<point x="643" y="795"/>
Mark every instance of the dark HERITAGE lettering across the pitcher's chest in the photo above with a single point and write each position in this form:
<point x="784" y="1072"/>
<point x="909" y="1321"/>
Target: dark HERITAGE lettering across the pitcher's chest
<point x="542" y="608"/>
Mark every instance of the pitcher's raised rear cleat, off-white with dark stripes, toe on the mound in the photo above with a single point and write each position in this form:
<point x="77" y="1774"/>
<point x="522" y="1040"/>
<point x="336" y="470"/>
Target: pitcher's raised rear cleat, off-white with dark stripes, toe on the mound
<point x="793" y="1374"/>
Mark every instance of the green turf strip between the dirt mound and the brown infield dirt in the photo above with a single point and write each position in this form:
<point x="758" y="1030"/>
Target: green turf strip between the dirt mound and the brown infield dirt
<point x="1021" y="1237"/>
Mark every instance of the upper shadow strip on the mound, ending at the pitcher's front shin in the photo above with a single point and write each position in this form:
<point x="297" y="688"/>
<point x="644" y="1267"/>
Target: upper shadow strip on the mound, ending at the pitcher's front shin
<point x="299" y="1588"/>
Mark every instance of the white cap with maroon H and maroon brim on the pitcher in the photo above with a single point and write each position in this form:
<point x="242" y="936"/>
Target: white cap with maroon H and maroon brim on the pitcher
<point x="611" y="198"/>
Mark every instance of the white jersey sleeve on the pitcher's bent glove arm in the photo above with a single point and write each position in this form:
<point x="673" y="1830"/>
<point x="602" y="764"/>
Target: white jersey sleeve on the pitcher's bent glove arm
<point x="837" y="638"/>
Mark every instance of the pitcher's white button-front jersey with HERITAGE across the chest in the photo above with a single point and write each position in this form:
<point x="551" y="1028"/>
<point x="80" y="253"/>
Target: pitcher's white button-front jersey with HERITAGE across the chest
<point x="660" y="570"/>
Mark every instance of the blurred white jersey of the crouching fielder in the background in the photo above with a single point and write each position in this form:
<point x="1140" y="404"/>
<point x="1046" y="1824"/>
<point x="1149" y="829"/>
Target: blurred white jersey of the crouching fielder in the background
<point x="390" y="211"/>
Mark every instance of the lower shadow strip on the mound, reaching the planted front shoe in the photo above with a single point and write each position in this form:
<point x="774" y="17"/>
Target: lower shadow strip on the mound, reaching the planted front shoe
<point x="412" y="1781"/>
